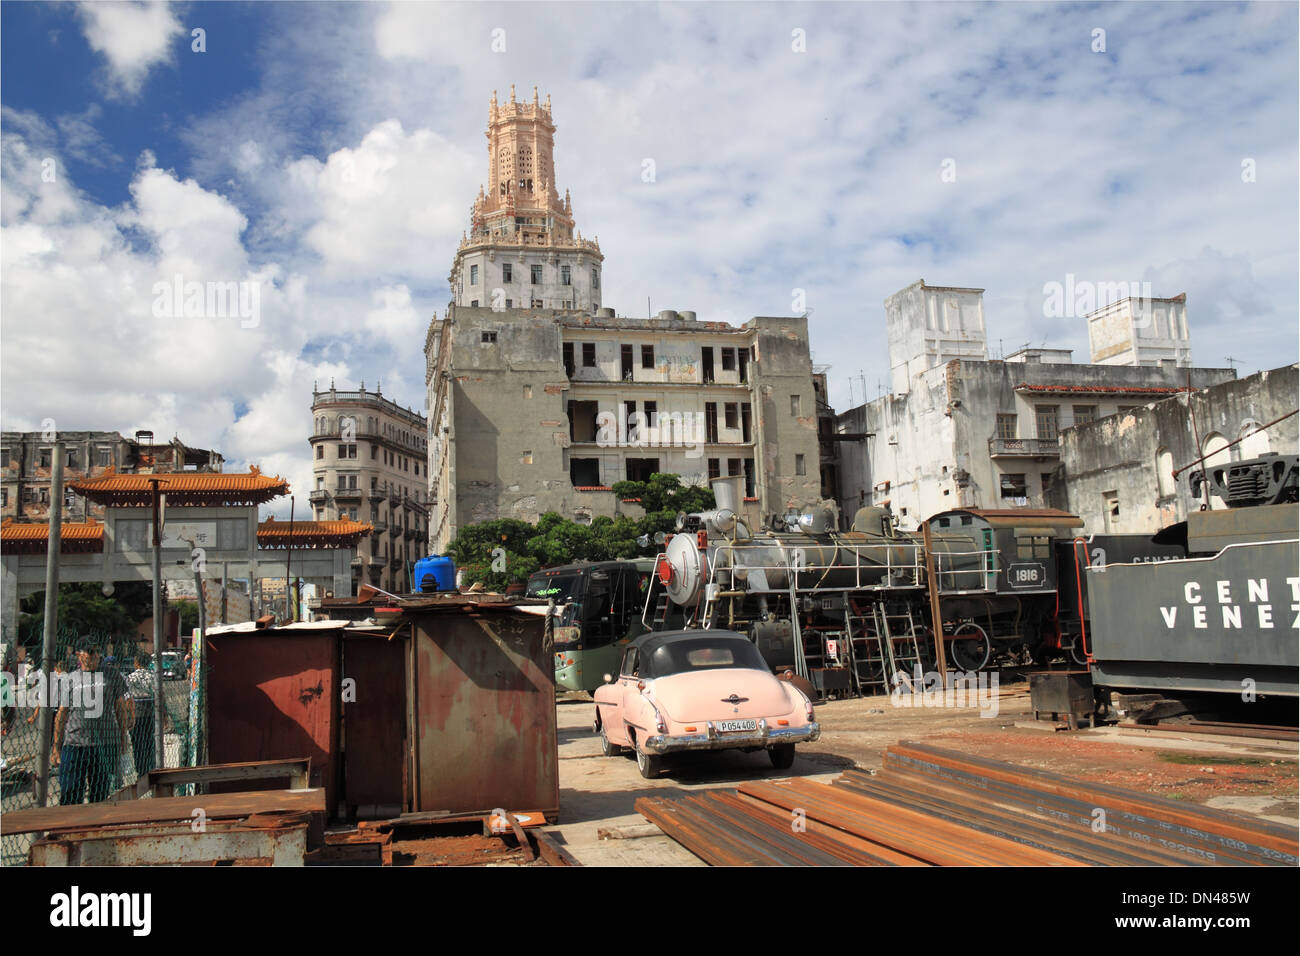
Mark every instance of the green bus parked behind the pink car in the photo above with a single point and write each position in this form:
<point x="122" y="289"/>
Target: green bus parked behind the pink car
<point x="599" y="611"/>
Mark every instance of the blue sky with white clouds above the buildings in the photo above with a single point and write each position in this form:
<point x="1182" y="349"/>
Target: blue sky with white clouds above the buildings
<point x="331" y="153"/>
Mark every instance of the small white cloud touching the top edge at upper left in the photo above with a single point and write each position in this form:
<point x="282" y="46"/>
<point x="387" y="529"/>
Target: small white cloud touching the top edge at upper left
<point x="132" y="37"/>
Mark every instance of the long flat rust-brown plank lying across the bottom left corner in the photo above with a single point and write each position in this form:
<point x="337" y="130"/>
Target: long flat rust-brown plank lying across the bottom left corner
<point x="162" y="810"/>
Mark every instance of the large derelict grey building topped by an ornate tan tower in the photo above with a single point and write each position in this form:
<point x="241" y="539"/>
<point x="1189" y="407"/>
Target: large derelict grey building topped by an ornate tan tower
<point x="540" y="400"/>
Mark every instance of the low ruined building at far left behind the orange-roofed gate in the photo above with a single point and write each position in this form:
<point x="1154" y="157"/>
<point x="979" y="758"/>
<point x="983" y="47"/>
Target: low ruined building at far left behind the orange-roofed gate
<point x="27" y="458"/>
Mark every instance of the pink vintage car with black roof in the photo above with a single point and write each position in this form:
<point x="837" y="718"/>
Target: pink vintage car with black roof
<point x="700" y="691"/>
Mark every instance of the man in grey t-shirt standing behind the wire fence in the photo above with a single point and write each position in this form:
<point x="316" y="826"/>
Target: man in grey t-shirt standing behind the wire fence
<point x="90" y="726"/>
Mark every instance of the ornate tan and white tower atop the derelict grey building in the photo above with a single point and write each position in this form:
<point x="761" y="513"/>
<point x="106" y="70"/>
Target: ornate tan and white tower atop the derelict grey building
<point x="522" y="250"/>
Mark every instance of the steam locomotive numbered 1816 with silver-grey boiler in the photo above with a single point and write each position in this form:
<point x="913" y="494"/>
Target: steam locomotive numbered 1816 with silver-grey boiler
<point x="850" y="609"/>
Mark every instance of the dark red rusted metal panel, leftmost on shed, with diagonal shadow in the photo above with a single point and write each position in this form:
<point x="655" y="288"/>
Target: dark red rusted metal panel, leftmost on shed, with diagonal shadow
<point x="274" y="697"/>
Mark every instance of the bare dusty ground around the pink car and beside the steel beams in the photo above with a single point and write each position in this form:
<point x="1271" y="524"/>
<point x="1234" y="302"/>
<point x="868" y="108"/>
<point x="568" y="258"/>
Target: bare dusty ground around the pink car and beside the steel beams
<point x="599" y="791"/>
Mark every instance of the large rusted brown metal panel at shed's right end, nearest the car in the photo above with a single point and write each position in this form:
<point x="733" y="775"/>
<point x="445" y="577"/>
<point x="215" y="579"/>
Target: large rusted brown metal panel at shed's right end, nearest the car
<point x="486" y="713"/>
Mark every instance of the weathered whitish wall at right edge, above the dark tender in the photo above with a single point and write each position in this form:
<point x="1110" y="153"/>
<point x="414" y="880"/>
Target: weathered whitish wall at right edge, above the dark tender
<point x="1119" y="473"/>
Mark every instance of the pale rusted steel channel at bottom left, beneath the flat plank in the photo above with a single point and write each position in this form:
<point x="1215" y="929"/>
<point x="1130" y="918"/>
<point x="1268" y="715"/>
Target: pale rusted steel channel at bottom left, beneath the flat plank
<point x="171" y="845"/>
